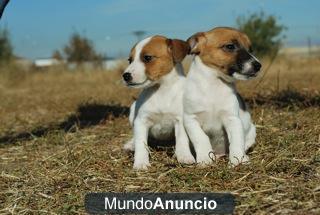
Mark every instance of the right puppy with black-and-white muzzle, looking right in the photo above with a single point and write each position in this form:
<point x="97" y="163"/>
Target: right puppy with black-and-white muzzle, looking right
<point x="215" y="116"/>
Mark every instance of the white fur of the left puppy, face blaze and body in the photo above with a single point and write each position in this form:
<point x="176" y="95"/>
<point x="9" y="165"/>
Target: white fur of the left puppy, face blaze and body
<point x="158" y="112"/>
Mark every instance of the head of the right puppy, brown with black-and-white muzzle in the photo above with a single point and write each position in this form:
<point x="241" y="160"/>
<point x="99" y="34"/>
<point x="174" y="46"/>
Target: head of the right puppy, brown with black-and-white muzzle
<point x="226" y="50"/>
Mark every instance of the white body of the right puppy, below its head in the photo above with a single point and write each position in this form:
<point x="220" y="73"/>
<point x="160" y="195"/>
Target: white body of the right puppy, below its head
<point x="213" y="117"/>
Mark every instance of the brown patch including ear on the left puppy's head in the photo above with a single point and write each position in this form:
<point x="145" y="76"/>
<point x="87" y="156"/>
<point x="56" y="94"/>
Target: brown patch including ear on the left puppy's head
<point x="165" y="54"/>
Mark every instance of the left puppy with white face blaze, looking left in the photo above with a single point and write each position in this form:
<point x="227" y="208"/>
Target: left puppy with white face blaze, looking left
<point x="155" y="66"/>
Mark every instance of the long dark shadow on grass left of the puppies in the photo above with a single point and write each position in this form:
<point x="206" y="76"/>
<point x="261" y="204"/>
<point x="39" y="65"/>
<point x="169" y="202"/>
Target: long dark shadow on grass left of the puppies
<point x="87" y="115"/>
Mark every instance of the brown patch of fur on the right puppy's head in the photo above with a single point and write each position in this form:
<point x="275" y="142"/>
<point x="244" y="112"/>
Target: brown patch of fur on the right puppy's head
<point x="209" y="46"/>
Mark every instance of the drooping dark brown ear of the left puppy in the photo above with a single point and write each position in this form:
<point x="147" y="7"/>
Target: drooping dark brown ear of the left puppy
<point x="178" y="48"/>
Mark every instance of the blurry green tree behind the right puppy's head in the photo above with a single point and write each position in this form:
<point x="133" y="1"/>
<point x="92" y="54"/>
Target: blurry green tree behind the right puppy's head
<point x="265" y="33"/>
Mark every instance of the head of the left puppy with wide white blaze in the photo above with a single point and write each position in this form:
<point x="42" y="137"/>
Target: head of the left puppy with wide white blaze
<point x="153" y="58"/>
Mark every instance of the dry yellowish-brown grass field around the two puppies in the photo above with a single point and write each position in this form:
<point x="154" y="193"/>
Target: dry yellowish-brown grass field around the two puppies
<point x="61" y="136"/>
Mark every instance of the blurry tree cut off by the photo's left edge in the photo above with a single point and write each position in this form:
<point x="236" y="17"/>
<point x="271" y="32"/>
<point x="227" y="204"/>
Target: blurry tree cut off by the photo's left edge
<point x="6" y="51"/>
